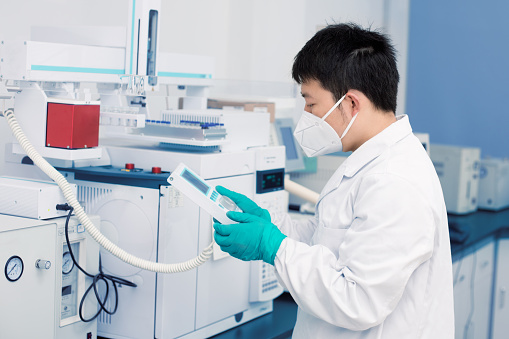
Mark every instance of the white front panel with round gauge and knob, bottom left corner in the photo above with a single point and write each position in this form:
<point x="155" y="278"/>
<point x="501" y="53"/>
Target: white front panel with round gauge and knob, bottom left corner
<point x="33" y="291"/>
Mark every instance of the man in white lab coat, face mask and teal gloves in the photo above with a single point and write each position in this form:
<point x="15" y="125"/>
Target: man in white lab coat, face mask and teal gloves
<point x="375" y="260"/>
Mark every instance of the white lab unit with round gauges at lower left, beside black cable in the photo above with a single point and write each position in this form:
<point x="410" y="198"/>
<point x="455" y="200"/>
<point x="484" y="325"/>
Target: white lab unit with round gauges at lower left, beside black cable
<point x="40" y="284"/>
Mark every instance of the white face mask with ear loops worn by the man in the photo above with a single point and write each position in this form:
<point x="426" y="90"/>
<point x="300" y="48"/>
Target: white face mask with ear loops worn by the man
<point x="316" y="136"/>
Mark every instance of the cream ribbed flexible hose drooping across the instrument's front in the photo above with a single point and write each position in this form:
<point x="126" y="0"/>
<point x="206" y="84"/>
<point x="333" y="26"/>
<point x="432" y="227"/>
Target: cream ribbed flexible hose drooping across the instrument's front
<point x="83" y="218"/>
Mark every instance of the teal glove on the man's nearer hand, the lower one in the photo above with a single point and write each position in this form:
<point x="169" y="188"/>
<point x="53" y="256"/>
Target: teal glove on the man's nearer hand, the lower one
<point x="253" y="238"/>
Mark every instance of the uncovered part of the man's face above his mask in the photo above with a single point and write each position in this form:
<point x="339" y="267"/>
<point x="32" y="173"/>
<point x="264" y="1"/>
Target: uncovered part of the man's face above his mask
<point x="319" y="101"/>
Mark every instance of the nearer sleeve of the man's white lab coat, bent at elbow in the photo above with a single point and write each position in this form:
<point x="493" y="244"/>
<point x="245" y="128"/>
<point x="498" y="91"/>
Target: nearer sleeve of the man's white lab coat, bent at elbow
<point x="391" y="235"/>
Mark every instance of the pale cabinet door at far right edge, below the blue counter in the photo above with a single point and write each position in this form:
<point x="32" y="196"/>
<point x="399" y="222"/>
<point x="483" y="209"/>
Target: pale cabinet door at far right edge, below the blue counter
<point x="500" y="305"/>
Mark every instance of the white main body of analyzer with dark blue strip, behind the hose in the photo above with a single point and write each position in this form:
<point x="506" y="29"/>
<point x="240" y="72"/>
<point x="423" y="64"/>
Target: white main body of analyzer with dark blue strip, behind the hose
<point x="148" y="217"/>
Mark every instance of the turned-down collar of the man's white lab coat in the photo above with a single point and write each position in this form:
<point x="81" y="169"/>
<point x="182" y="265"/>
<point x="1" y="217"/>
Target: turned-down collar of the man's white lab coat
<point x="372" y="148"/>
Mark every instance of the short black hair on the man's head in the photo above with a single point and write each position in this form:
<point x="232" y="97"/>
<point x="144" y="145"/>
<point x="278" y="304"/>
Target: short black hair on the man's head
<point x="345" y="56"/>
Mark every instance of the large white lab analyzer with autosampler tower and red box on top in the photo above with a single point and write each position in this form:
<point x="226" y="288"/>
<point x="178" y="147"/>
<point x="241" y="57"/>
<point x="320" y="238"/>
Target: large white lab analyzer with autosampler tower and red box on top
<point x="140" y="211"/>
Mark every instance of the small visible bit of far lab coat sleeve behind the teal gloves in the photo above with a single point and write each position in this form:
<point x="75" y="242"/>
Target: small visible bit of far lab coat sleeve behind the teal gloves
<point x="299" y="230"/>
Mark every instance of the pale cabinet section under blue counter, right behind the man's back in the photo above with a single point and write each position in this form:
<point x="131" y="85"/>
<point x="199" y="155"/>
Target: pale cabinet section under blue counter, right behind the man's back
<point x="473" y="279"/>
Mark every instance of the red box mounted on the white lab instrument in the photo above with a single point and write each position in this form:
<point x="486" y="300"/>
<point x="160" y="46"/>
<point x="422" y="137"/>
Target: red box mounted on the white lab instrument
<point x="72" y="126"/>
